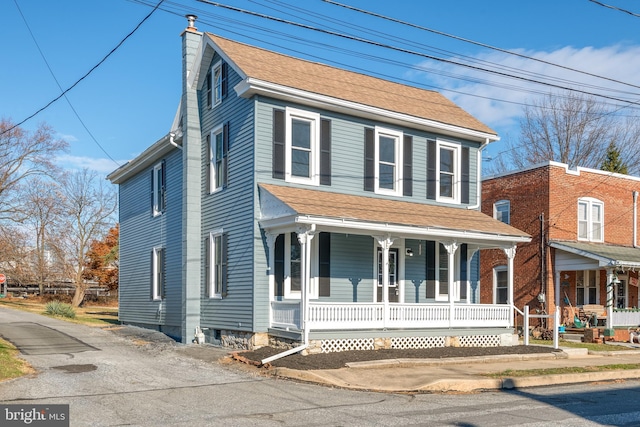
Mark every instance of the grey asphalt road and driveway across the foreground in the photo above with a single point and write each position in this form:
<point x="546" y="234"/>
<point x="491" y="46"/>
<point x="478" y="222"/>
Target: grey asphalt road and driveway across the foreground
<point x="134" y="377"/>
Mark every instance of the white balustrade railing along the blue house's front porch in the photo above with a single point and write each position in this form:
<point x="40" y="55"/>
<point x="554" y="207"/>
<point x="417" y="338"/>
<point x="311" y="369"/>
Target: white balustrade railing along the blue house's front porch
<point x="336" y="316"/>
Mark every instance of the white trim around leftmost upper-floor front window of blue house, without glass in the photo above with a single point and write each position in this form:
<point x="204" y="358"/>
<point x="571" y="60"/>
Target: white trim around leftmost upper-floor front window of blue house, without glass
<point x="314" y="156"/>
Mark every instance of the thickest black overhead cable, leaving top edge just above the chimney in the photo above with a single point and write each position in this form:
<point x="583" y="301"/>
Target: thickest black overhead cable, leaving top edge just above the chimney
<point x="399" y="49"/>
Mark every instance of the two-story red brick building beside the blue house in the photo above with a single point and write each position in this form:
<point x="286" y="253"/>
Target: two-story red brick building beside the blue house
<point x="584" y="229"/>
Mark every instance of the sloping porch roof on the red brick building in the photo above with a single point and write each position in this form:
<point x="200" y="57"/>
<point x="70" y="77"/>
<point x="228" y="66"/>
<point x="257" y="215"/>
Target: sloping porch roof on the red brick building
<point x="606" y="255"/>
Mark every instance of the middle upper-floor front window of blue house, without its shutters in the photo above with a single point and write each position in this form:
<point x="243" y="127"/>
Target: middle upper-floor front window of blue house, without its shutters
<point x="388" y="161"/>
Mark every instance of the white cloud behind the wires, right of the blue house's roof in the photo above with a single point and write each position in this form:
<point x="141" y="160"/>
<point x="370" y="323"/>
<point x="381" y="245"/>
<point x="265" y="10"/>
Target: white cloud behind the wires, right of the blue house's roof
<point x="500" y="104"/>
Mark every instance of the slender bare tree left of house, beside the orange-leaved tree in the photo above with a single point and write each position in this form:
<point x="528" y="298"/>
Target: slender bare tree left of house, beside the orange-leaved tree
<point x="88" y="206"/>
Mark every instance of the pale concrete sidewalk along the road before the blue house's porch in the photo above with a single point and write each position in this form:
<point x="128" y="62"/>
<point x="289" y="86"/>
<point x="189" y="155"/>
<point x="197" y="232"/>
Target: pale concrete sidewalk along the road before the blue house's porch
<point x="468" y="374"/>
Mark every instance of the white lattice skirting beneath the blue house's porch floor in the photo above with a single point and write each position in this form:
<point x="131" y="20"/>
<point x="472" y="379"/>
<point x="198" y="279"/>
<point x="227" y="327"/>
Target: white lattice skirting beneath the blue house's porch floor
<point x="336" y="345"/>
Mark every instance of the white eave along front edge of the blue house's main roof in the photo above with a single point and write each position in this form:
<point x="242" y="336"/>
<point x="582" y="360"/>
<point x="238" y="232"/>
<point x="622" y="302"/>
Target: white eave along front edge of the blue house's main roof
<point x="251" y="86"/>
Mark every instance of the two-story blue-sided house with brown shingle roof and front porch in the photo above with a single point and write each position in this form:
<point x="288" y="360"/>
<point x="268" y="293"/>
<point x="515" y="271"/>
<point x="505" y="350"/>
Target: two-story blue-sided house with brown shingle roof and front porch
<point x="295" y="202"/>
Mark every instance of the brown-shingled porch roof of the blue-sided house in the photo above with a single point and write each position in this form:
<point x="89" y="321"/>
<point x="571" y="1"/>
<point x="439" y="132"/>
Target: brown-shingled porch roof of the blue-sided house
<point x="284" y="206"/>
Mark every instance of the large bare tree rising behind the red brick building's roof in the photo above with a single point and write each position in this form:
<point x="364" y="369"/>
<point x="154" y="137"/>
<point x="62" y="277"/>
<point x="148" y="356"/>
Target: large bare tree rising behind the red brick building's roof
<point x="569" y="128"/>
